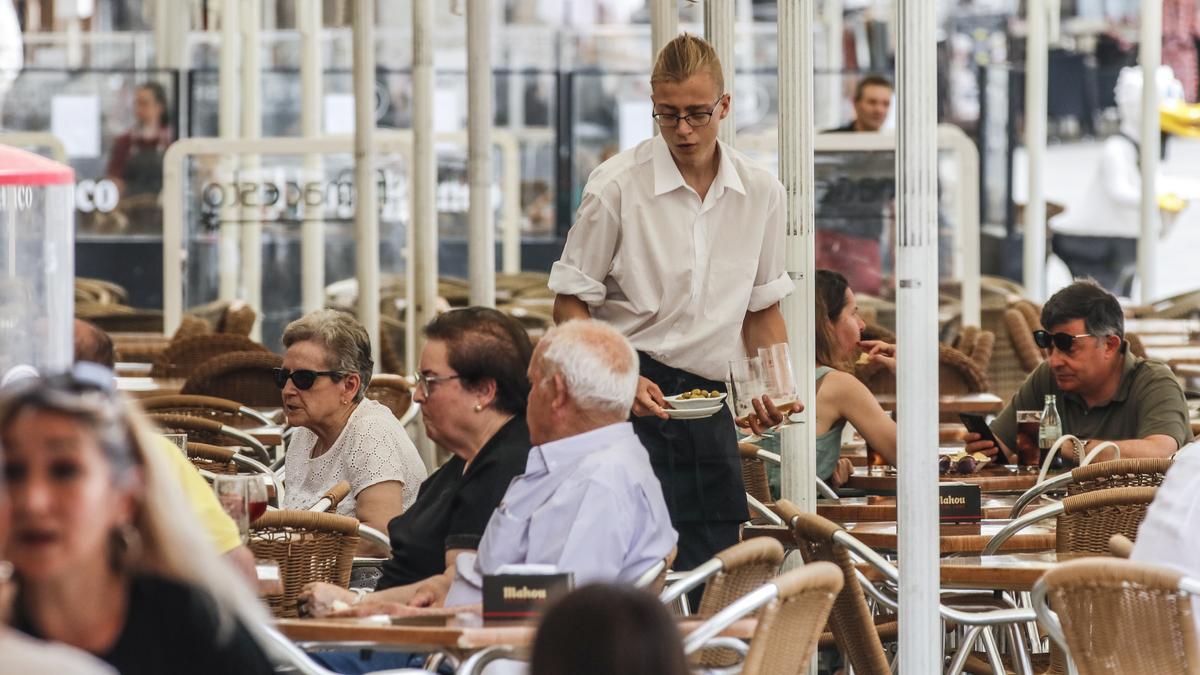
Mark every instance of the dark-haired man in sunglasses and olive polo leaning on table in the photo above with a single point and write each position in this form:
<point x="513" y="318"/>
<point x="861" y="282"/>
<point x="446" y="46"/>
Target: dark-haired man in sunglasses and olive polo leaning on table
<point x="1105" y="392"/>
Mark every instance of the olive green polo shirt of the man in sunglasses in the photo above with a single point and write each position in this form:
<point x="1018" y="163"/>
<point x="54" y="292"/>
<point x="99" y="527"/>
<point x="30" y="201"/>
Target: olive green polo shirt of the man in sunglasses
<point x="1149" y="402"/>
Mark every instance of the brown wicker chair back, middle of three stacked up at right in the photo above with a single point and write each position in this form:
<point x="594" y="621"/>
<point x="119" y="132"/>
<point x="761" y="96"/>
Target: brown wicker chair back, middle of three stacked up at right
<point x="1090" y="519"/>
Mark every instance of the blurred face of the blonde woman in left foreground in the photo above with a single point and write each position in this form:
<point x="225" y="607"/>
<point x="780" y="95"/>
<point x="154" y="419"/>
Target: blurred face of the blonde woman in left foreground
<point x="64" y="503"/>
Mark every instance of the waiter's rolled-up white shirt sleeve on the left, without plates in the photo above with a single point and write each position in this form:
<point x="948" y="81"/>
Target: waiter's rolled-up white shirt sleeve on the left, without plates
<point x="587" y="256"/>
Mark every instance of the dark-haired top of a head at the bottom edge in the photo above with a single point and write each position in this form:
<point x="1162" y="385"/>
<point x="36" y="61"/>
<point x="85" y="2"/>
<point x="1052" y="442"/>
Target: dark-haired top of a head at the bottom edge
<point x="607" y="629"/>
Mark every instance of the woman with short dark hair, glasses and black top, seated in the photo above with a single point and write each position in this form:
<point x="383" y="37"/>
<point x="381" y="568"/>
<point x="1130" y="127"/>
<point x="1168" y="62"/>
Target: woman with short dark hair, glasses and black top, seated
<point x="472" y="387"/>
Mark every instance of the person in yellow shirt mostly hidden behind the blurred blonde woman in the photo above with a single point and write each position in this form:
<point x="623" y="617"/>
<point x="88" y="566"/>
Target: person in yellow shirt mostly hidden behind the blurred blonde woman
<point x="93" y="345"/>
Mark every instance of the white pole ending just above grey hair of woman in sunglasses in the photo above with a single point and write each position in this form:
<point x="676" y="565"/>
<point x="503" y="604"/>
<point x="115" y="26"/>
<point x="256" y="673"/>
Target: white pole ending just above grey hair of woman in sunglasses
<point x="313" y="230"/>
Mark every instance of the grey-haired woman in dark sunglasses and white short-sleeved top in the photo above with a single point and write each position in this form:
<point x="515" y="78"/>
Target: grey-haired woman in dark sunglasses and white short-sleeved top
<point x="343" y="437"/>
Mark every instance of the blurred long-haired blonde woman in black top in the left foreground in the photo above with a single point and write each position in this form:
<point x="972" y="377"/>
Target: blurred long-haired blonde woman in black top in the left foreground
<point x="106" y="555"/>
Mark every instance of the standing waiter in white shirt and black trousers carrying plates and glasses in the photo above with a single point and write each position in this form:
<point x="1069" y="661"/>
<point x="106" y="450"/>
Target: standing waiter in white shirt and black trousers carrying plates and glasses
<point x="679" y="243"/>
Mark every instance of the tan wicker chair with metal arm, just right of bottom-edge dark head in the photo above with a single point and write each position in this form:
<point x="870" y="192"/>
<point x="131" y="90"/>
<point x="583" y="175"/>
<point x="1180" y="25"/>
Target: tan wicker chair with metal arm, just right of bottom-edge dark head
<point x="793" y="610"/>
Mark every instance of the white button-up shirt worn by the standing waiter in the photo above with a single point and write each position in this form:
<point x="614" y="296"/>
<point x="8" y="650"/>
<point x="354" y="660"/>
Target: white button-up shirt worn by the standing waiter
<point x="676" y="274"/>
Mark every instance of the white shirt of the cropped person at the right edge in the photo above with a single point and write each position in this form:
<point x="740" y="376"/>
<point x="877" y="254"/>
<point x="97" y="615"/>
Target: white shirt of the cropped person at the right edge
<point x="1168" y="535"/>
